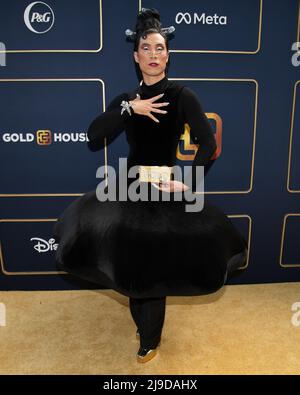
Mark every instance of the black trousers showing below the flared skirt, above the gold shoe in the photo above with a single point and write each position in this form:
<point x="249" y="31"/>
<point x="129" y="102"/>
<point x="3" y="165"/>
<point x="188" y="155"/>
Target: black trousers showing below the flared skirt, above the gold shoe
<point x="148" y="315"/>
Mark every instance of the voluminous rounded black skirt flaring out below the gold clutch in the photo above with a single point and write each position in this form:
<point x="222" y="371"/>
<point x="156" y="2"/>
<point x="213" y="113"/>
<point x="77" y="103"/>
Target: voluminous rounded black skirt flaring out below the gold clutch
<point x="148" y="248"/>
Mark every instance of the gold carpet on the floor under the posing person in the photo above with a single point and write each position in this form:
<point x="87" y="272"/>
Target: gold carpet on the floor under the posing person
<point x="244" y="329"/>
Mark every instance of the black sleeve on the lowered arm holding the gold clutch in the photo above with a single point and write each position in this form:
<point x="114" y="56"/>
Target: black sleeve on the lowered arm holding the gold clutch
<point x="200" y="130"/>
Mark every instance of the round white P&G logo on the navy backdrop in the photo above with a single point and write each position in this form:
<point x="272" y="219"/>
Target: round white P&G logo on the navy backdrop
<point x="39" y="17"/>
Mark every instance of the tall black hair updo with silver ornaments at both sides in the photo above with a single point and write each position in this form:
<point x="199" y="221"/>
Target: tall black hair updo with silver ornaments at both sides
<point x="148" y="21"/>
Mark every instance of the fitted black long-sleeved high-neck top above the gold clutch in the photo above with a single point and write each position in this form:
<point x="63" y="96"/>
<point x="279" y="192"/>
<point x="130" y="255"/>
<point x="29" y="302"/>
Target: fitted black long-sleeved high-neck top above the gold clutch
<point x="150" y="142"/>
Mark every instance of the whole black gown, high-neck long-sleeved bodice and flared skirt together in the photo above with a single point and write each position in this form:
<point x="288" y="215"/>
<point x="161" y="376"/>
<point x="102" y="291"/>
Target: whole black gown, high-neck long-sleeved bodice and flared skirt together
<point x="150" y="248"/>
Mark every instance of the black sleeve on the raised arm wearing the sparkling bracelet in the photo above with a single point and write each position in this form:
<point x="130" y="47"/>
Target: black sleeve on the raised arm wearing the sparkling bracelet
<point x="109" y="124"/>
